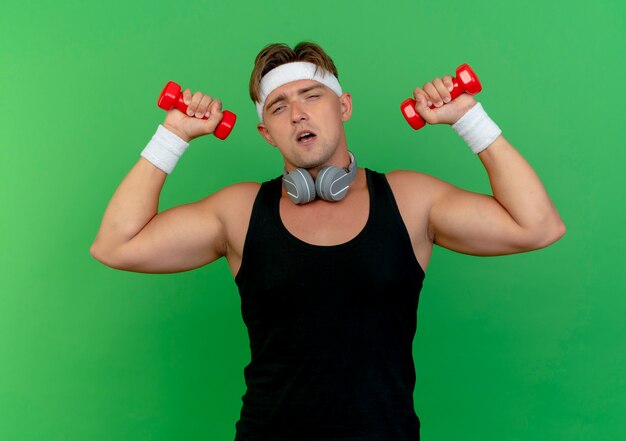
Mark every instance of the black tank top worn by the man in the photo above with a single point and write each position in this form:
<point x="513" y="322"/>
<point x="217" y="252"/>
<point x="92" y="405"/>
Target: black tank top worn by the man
<point x="331" y="328"/>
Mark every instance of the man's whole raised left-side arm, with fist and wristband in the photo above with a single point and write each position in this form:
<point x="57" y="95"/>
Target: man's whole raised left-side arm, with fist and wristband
<point x="133" y="236"/>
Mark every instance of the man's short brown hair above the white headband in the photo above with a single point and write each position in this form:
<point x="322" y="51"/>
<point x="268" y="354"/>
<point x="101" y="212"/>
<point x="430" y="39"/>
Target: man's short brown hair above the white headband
<point x="277" y="54"/>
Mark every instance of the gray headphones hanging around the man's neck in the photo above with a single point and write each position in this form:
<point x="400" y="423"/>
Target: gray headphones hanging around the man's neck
<point x="332" y="183"/>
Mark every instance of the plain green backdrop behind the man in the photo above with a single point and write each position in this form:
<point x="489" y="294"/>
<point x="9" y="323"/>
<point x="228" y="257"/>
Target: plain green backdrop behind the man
<point x="523" y="347"/>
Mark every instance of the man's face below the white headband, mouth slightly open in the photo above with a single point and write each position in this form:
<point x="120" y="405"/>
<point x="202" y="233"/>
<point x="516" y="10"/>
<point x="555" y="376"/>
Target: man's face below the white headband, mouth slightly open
<point x="304" y="119"/>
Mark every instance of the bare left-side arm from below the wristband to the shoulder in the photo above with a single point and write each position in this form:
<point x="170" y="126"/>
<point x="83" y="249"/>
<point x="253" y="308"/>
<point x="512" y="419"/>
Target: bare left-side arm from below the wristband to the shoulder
<point x="133" y="237"/>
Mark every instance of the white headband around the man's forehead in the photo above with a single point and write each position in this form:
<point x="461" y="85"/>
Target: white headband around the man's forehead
<point x="286" y="73"/>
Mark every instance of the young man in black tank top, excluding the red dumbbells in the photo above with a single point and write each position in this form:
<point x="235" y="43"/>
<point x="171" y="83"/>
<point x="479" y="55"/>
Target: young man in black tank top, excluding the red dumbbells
<point x="330" y="258"/>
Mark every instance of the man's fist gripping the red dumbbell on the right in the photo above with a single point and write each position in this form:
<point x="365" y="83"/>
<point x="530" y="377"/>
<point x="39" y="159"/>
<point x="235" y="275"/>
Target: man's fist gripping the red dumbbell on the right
<point x="437" y="93"/>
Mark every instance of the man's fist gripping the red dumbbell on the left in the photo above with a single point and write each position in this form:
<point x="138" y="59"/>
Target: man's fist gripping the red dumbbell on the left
<point x="191" y="125"/>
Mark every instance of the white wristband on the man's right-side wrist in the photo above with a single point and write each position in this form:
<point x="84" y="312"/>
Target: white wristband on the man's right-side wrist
<point x="477" y="129"/>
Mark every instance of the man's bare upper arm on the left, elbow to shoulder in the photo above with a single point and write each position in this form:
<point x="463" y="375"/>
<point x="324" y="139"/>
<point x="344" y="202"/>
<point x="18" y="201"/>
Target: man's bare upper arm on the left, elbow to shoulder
<point x="178" y="239"/>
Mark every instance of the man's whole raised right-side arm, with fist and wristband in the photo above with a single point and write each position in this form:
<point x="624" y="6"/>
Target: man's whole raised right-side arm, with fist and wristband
<point x="518" y="217"/>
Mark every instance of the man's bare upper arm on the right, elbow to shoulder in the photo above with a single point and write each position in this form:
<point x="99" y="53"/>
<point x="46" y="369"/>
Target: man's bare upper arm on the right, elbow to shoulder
<point x="473" y="223"/>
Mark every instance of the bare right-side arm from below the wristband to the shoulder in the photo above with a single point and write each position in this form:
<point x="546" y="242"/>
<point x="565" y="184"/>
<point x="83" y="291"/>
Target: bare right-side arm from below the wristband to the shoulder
<point x="518" y="217"/>
